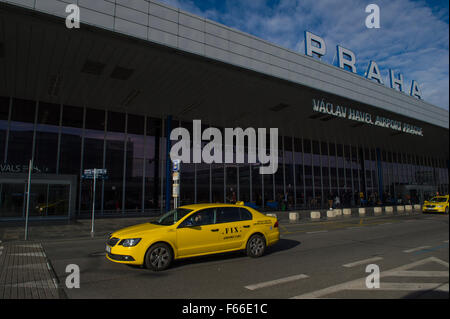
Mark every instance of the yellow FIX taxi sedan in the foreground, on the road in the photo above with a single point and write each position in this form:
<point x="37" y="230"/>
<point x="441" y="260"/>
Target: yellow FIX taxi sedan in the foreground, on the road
<point x="193" y="230"/>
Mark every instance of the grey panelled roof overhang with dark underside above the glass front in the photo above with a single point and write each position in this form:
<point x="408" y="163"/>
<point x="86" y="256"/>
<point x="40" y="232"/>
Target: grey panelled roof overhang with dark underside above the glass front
<point x="100" y="66"/>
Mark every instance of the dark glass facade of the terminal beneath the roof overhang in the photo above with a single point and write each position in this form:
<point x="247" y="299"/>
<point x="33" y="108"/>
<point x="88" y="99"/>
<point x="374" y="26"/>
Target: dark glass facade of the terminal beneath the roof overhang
<point x="64" y="140"/>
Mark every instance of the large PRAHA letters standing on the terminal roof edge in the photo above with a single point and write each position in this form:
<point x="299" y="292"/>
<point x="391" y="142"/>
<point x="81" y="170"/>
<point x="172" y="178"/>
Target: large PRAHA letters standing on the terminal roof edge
<point x="315" y="46"/>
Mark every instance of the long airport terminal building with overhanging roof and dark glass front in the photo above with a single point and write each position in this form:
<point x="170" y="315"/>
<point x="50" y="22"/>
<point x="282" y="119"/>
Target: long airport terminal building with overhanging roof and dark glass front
<point x="108" y="94"/>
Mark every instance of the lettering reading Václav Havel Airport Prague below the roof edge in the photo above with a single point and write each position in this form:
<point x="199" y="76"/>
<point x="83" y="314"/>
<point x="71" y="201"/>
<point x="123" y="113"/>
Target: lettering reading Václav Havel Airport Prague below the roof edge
<point x="322" y="106"/>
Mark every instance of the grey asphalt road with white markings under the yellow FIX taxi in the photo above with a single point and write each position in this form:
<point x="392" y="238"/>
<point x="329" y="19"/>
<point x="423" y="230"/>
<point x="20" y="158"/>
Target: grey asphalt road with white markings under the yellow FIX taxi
<point x="316" y="260"/>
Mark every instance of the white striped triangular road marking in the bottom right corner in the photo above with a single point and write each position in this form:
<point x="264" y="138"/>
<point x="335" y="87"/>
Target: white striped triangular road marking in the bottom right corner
<point x="360" y="284"/>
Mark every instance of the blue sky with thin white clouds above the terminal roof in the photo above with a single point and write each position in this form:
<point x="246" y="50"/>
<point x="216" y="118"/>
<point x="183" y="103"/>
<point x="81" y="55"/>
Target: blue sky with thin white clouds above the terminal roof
<point x="413" y="38"/>
